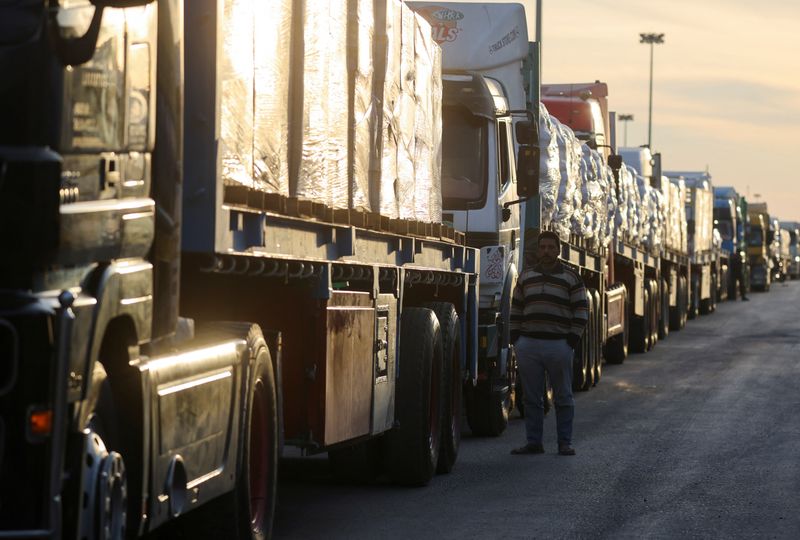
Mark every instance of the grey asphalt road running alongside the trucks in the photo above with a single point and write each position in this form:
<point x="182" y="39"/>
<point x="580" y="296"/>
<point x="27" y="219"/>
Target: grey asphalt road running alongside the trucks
<point x="699" y="438"/>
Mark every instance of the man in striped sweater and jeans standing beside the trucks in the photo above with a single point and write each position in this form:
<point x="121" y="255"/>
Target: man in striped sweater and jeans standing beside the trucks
<point x="549" y="312"/>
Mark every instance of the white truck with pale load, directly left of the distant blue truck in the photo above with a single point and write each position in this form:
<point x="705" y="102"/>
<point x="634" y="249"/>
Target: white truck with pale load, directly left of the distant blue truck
<point x="709" y="263"/>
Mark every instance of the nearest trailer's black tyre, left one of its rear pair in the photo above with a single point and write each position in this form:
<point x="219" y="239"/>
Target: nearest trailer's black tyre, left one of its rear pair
<point x="413" y="445"/>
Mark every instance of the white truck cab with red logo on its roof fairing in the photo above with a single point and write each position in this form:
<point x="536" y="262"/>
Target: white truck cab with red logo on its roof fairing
<point x="483" y="48"/>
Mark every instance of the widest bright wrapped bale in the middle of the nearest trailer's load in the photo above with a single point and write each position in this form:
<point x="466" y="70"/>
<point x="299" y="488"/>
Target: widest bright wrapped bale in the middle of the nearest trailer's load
<point x="323" y="169"/>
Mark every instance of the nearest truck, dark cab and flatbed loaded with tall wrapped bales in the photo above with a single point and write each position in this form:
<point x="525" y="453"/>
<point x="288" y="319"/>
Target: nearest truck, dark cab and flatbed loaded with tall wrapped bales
<point x="201" y="266"/>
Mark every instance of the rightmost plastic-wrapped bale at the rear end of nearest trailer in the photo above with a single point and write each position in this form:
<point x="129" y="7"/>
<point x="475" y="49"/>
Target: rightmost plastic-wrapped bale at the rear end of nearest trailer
<point x="426" y="146"/>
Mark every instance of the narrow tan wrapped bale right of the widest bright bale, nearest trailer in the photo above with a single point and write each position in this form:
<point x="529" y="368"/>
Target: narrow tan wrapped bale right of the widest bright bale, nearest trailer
<point x="363" y="105"/>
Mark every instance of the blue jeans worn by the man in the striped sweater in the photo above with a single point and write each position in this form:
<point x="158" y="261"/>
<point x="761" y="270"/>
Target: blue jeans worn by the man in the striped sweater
<point x="534" y="358"/>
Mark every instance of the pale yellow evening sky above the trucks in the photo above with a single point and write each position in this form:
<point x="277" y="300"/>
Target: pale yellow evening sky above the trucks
<point x="726" y="91"/>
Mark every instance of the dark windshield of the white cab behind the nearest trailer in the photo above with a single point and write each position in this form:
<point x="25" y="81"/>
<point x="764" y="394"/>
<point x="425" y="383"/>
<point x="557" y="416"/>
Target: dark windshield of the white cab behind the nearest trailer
<point x="464" y="141"/>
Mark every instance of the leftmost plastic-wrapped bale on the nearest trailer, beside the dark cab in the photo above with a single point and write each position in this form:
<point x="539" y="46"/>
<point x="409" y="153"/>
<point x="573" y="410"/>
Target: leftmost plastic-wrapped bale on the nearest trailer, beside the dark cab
<point x="236" y="86"/>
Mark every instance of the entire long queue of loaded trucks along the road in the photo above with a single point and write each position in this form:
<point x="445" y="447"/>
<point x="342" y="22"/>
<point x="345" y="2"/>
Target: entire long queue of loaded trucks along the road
<point x="234" y="226"/>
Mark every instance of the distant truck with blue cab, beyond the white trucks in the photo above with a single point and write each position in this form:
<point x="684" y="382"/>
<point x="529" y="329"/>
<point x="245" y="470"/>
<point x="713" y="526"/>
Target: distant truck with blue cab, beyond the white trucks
<point x="730" y="218"/>
